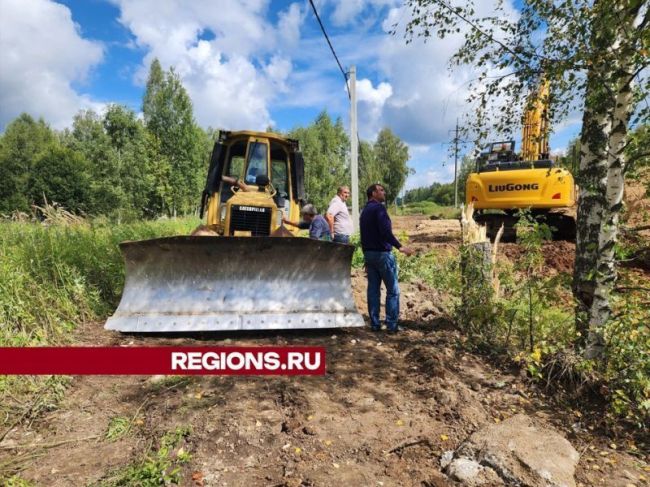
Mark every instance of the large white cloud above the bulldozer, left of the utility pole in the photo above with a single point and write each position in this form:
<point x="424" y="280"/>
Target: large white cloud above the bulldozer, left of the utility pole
<point x="232" y="75"/>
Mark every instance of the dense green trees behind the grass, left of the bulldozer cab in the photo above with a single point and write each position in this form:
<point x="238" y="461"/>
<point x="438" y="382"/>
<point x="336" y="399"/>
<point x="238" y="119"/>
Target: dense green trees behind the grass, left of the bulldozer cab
<point x="112" y="165"/>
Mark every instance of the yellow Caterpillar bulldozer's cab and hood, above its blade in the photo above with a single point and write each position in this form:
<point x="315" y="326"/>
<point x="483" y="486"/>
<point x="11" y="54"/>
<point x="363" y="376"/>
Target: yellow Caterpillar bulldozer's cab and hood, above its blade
<point x="271" y="169"/>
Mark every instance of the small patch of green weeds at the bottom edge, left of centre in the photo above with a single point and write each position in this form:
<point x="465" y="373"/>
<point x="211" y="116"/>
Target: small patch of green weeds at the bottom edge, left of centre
<point x="162" y="467"/>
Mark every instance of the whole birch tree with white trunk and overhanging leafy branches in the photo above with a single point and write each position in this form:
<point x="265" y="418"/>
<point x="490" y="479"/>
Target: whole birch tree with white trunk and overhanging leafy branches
<point x="594" y="53"/>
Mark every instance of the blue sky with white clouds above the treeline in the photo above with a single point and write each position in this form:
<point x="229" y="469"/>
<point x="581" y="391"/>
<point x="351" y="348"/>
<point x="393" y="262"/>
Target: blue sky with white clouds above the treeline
<point x="245" y="63"/>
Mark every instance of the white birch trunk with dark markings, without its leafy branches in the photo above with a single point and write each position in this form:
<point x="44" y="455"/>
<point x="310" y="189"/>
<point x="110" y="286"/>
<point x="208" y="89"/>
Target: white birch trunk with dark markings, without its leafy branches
<point x="608" y="107"/>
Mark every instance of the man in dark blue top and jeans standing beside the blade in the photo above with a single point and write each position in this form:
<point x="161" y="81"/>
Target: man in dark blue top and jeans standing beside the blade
<point x="377" y="241"/>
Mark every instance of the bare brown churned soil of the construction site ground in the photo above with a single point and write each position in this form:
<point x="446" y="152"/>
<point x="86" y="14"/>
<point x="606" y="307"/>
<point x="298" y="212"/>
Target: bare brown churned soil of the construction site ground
<point x="387" y="409"/>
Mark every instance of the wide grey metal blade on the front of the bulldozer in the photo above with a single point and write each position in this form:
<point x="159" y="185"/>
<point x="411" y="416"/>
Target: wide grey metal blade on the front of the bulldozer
<point x="185" y="284"/>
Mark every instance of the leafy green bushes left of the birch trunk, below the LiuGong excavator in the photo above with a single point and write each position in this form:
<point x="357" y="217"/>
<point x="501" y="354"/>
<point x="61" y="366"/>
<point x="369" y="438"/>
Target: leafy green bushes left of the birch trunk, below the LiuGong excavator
<point x="533" y="315"/>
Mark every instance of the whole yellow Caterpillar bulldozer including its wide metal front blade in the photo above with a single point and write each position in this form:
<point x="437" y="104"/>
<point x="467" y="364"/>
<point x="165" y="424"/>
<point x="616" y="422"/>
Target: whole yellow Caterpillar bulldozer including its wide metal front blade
<point x="244" y="270"/>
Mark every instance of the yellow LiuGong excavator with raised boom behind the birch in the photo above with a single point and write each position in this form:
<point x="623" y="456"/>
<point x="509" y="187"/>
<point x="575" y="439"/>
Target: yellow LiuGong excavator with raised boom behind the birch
<point x="505" y="182"/>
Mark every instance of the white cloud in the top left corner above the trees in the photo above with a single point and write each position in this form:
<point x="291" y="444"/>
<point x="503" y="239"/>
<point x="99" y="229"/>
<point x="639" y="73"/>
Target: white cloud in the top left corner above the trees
<point x="41" y="54"/>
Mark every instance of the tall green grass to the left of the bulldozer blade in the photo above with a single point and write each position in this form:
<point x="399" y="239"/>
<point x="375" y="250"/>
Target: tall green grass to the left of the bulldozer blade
<point x="54" y="277"/>
